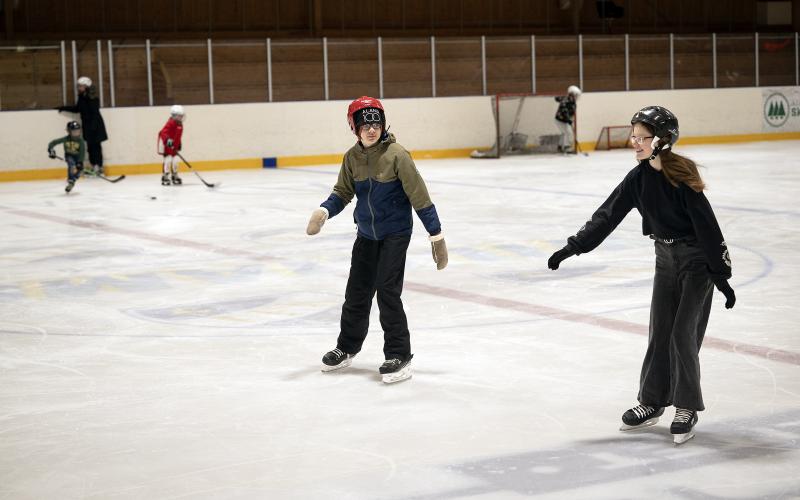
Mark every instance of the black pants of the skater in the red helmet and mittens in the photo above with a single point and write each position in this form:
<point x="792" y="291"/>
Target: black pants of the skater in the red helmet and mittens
<point x="376" y="266"/>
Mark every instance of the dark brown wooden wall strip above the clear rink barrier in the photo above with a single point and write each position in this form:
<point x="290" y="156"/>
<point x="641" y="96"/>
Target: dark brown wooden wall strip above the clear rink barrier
<point x="76" y="19"/>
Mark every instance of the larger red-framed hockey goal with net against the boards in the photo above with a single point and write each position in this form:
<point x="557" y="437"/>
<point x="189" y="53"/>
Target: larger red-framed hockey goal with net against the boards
<point x="524" y="124"/>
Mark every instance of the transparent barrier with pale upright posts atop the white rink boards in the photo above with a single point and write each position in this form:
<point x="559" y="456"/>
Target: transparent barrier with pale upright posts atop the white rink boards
<point x="148" y="73"/>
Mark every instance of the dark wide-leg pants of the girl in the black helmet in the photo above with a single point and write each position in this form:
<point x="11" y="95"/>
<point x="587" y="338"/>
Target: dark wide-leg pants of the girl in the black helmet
<point x="682" y="291"/>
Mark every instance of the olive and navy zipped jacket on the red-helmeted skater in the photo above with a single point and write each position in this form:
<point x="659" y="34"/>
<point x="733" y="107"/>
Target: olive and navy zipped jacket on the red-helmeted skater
<point x="387" y="184"/>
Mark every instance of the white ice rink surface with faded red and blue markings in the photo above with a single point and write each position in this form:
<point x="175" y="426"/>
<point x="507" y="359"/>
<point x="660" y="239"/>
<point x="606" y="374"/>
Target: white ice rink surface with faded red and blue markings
<point x="170" y="348"/>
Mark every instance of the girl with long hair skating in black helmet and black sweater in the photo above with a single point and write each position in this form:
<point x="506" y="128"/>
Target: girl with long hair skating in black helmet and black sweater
<point x="691" y="255"/>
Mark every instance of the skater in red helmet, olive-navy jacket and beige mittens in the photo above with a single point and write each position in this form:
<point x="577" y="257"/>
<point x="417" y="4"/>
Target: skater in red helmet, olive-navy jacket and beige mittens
<point x="382" y="175"/>
